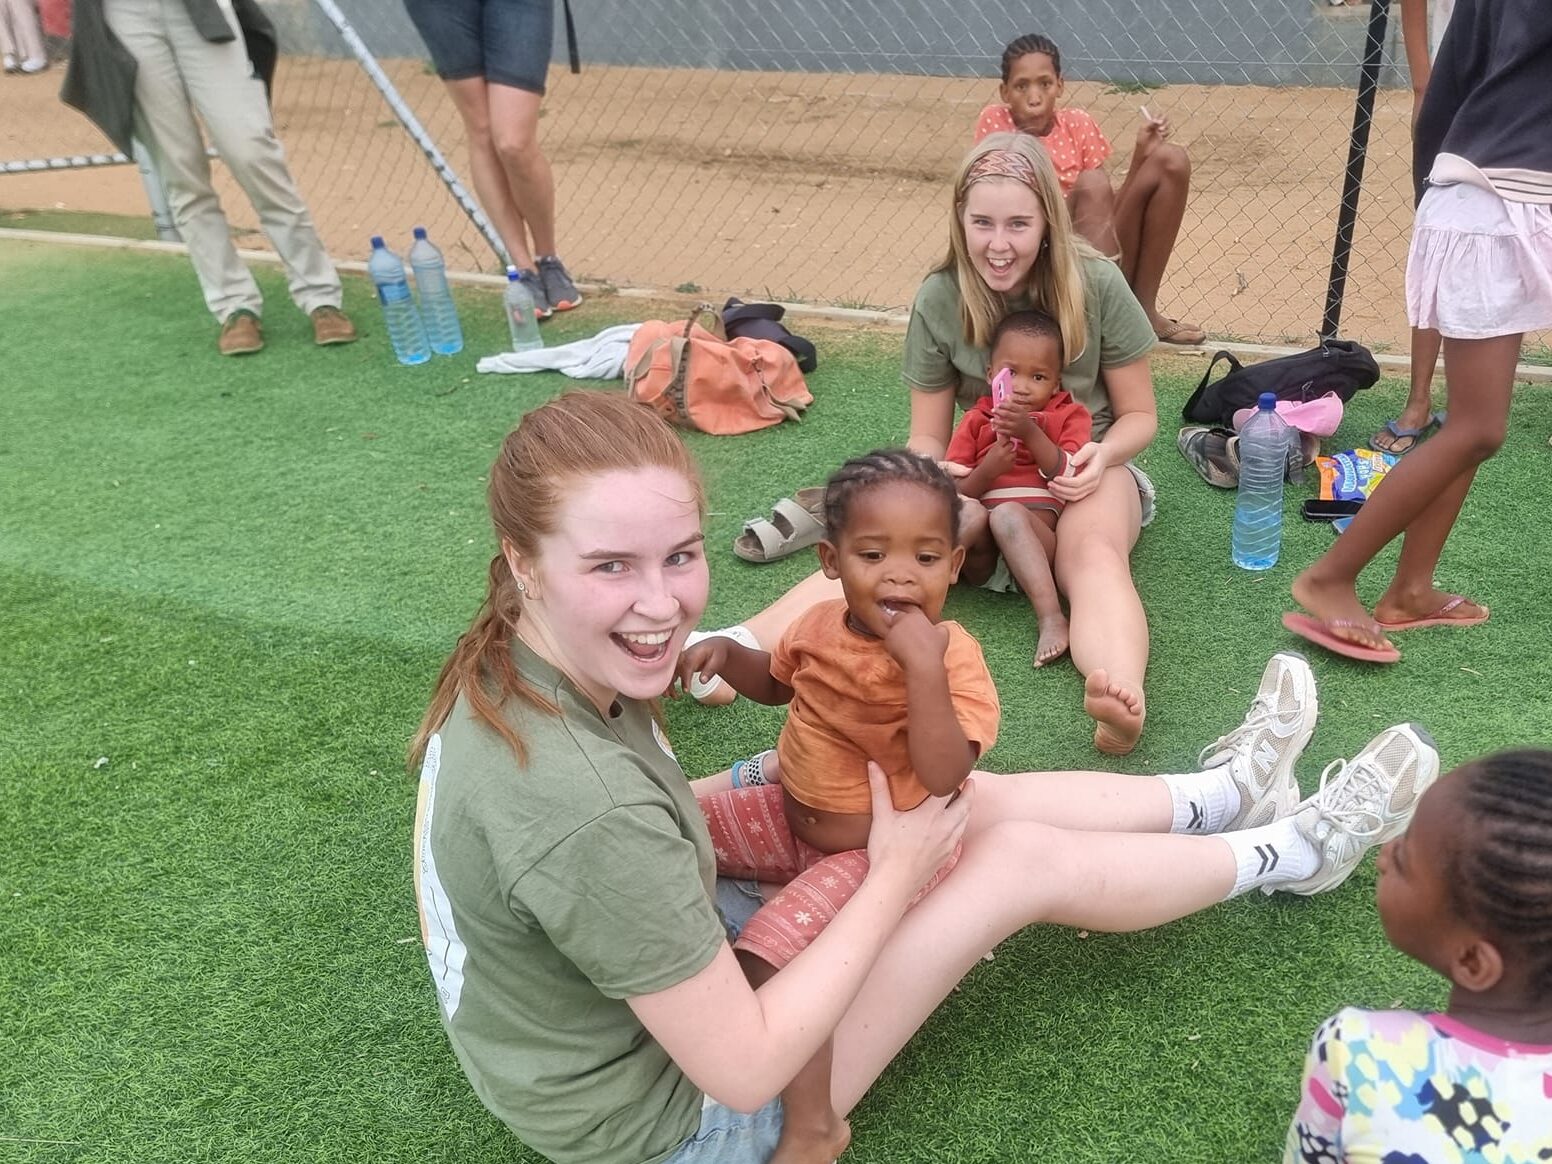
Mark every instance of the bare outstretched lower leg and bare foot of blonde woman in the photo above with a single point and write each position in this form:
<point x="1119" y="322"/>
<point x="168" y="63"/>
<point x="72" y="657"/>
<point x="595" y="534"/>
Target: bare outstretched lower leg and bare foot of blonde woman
<point x="1107" y="625"/>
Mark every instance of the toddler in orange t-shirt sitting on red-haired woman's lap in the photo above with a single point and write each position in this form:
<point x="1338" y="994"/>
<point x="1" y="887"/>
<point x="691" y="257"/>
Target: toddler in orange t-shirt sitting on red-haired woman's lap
<point x="876" y="676"/>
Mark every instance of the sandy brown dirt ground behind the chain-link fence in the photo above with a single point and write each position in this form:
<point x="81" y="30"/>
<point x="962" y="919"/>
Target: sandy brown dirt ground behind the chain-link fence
<point x="825" y="189"/>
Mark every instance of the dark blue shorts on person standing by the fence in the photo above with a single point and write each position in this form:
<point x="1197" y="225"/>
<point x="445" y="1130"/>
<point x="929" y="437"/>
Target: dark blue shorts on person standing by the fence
<point x="504" y="41"/>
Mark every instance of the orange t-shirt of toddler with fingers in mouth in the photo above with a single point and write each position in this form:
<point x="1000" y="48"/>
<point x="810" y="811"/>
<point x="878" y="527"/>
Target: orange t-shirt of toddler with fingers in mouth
<point x="848" y="707"/>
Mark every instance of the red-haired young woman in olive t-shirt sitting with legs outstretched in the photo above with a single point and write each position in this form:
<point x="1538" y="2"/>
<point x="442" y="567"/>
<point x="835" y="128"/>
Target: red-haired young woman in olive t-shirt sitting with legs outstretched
<point x="567" y="881"/>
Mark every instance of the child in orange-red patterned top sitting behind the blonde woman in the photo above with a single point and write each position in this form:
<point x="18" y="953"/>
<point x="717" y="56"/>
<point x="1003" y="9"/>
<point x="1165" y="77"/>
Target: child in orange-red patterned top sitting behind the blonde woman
<point x="1137" y="224"/>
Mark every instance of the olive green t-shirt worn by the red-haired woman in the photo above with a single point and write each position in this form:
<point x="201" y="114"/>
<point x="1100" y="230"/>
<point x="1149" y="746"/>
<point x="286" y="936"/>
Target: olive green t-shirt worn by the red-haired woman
<point x="550" y="893"/>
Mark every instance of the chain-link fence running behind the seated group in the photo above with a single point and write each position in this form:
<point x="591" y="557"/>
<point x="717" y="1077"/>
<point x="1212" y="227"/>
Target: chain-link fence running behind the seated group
<point x="805" y="151"/>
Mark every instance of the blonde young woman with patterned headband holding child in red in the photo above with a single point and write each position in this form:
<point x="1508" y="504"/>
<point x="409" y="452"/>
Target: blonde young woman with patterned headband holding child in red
<point x="1013" y="246"/>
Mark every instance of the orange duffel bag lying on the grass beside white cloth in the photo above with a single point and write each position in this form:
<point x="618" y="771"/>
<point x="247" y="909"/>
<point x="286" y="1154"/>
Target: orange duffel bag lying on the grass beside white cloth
<point x="701" y="381"/>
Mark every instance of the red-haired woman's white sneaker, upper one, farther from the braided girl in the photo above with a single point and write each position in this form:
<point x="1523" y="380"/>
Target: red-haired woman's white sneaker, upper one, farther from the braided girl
<point x="1261" y="752"/>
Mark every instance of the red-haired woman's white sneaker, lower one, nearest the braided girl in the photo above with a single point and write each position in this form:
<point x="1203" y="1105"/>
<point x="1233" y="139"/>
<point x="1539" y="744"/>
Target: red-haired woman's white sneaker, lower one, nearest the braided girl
<point x="1363" y="803"/>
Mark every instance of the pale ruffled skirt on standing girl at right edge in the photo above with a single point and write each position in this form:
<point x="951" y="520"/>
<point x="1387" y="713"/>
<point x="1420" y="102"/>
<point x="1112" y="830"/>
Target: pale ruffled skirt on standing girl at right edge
<point x="1480" y="266"/>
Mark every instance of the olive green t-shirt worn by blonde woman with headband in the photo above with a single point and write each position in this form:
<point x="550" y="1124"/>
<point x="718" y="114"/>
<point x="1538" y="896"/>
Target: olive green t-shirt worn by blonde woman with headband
<point x="938" y="358"/>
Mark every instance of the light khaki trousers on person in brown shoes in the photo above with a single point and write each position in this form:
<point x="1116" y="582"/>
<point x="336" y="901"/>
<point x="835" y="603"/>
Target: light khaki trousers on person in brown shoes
<point x="181" y="75"/>
